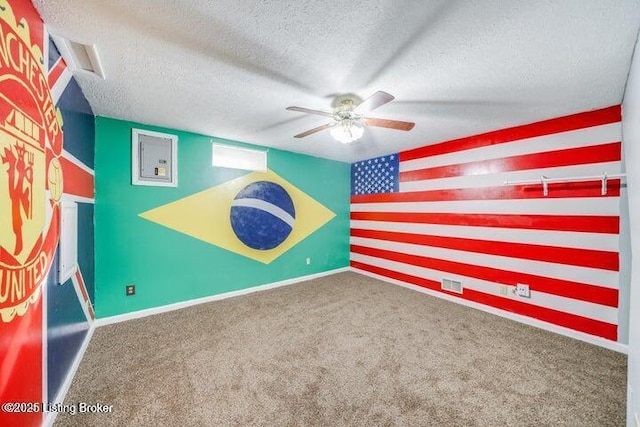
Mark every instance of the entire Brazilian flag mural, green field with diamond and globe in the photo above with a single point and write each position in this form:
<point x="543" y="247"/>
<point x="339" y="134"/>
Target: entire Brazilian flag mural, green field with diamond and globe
<point x="220" y="230"/>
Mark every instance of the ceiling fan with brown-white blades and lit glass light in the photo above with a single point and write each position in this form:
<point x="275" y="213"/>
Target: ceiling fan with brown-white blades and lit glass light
<point x="349" y="117"/>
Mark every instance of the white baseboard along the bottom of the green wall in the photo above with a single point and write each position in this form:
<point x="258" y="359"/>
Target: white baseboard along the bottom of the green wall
<point x="178" y="305"/>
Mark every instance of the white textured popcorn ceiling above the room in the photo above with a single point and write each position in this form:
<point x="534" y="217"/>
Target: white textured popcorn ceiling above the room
<point x="229" y="68"/>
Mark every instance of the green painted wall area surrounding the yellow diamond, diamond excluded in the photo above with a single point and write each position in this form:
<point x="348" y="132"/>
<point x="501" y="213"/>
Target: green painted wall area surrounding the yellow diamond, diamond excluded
<point x="167" y="266"/>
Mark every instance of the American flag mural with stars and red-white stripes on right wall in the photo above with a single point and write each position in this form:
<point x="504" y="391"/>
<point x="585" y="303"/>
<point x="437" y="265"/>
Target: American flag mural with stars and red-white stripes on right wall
<point x="443" y="212"/>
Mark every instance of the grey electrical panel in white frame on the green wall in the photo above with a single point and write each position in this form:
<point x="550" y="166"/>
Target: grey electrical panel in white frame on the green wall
<point x="154" y="158"/>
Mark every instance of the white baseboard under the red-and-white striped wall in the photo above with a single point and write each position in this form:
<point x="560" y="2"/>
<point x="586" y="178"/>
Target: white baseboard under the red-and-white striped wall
<point x="611" y="345"/>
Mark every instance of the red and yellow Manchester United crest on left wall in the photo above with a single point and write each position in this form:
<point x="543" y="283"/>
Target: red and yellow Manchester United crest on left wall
<point x="30" y="170"/>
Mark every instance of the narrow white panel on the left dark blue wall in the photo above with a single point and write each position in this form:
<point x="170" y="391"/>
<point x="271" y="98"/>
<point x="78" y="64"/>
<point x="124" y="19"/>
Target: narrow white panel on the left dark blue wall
<point x="68" y="240"/>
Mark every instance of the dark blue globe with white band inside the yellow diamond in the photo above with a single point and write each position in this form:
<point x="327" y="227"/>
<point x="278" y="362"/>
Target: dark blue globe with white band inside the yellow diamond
<point x="262" y="215"/>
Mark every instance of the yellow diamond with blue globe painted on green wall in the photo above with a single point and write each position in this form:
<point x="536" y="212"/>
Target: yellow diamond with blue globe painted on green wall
<point x="260" y="215"/>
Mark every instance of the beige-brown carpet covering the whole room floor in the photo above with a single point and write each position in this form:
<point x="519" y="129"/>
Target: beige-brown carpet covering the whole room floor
<point x="344" y="350"/>
